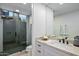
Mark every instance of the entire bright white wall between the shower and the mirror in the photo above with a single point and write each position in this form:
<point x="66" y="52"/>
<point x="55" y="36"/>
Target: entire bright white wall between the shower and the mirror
<point x="42" y="22"/>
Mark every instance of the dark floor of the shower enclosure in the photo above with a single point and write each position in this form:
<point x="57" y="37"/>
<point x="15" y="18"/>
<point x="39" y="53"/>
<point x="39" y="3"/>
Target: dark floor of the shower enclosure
<point x="13" y="48"/>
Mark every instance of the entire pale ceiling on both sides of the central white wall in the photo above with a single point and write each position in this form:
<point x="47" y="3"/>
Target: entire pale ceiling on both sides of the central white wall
<point x="56" y="7"/>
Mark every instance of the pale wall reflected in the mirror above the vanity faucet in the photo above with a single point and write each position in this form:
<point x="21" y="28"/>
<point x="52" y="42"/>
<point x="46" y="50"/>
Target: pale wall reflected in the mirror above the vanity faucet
<point x="71" y="20"/>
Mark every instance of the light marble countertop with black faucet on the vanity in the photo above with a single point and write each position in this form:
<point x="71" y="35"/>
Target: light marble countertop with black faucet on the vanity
<point x="69" y="48"/>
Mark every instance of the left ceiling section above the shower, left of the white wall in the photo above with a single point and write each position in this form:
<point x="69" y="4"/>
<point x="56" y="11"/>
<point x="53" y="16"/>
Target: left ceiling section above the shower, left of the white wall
<point x="23" y="8"/>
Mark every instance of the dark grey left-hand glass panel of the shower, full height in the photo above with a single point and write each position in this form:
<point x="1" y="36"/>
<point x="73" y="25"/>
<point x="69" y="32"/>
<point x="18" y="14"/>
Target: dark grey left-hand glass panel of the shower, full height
<point x="9" y="29"/>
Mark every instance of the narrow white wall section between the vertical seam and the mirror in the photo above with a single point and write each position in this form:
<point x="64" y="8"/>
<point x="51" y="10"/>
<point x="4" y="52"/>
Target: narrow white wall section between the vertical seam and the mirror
<point x="49" y="21"/>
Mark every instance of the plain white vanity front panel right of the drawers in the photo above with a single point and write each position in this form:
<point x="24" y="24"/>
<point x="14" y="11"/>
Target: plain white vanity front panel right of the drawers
<point x="51" y="51"/>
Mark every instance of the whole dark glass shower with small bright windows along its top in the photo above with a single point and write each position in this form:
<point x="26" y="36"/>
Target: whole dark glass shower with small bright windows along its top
<point x="14" y="32"/>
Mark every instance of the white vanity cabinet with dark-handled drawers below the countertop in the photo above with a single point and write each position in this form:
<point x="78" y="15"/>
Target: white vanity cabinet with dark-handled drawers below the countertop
<point x="46" y="50"/>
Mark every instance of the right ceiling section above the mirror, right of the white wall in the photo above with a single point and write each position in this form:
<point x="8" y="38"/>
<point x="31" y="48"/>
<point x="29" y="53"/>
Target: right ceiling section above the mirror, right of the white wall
<point x="64" y="8"/>
